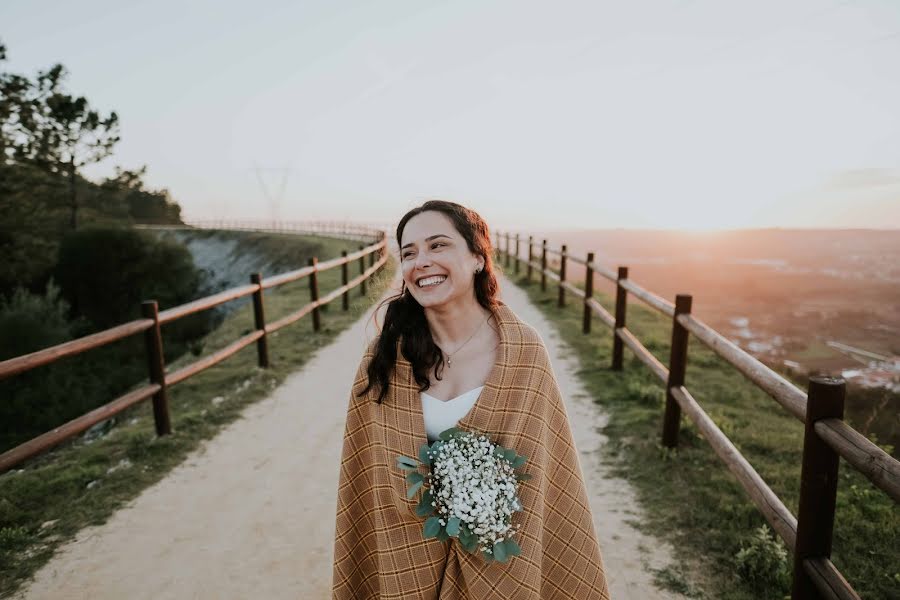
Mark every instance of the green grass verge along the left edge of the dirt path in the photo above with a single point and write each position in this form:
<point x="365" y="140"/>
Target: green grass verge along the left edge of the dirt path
<point x="82" y="483"/>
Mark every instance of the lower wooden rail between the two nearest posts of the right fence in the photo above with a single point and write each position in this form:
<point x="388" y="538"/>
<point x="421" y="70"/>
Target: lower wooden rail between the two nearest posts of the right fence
<point x="770" y="505"/>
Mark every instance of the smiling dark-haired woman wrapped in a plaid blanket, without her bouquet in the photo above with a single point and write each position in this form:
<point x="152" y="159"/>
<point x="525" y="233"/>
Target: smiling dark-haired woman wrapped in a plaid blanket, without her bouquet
<point x="499" y="381"/>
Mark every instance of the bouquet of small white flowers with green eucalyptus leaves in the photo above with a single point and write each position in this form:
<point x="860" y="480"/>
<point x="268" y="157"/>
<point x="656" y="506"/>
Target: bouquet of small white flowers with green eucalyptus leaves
<point x="471" y="492"/>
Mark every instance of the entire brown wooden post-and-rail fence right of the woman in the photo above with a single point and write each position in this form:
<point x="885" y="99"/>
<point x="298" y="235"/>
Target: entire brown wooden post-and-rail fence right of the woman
<point x="827" y="437"/>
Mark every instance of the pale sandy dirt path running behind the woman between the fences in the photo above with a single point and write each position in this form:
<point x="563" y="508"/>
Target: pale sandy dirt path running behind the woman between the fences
<point x="251" y="514"/>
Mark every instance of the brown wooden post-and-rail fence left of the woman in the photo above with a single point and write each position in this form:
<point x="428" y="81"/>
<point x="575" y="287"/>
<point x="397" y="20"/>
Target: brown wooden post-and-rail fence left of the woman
<point x="150" y="325"/>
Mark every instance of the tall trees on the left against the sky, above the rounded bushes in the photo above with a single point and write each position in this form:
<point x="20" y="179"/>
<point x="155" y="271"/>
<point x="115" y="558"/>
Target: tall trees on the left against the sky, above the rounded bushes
<point x="46" y="136"/>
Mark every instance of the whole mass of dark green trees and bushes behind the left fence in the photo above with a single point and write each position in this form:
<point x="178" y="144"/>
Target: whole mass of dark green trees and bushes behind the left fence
<point x="103" y="268"/>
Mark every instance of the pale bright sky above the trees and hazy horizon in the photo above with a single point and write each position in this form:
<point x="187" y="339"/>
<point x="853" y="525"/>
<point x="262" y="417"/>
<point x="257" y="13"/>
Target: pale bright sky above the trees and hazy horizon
<point x="647" y="113"/>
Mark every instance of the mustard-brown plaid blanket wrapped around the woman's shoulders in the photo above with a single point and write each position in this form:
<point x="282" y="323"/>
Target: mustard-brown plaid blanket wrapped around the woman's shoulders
<point x="379" y="549"/>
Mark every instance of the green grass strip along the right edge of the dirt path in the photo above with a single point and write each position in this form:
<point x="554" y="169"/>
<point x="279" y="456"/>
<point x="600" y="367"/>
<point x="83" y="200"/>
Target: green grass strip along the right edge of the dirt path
<point x="689" y="495"/>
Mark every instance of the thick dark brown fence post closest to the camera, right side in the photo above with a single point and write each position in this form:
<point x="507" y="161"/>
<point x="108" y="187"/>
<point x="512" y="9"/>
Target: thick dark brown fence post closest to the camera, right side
<point x="818" y="483"/>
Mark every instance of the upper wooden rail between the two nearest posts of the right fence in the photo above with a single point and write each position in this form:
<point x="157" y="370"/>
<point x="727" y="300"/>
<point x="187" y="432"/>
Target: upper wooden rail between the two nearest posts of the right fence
<point x="782" y="390"/>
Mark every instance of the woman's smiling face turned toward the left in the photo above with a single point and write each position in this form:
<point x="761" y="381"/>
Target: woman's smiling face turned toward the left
<point x="434" y="253"/>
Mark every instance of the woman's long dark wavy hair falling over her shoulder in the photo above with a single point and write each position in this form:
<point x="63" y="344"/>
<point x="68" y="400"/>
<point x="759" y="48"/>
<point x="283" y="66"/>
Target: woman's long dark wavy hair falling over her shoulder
<point x="405" y="317"/>
